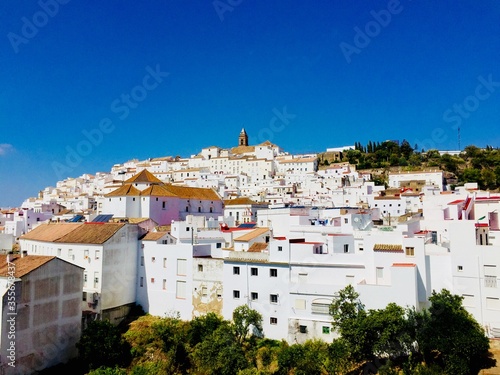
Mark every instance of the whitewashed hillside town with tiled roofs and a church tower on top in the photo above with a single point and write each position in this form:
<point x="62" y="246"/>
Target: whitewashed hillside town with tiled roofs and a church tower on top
<point x="249" y="225"/>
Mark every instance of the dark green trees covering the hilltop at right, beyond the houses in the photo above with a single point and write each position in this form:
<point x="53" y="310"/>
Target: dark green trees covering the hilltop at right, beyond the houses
<point x="472" y="165"/>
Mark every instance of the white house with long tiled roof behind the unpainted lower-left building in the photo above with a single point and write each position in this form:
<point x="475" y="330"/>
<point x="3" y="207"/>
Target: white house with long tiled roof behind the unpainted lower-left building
<point x="107" y="252"/>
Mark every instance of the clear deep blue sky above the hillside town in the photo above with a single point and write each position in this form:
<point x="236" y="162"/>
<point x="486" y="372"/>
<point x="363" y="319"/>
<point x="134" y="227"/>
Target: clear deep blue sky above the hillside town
<point x="86" y="84"/>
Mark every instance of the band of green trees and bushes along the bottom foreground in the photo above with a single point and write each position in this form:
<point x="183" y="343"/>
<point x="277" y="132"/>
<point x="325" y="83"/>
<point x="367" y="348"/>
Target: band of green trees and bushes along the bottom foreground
<point x="444" y="339"/>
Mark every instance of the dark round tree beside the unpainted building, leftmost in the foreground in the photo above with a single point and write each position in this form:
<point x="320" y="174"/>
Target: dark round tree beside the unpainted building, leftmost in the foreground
<point x="101" y="344"/>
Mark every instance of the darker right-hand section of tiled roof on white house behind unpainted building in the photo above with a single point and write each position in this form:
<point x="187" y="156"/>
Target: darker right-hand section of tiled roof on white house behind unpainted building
<point x="94" y="233"/>
